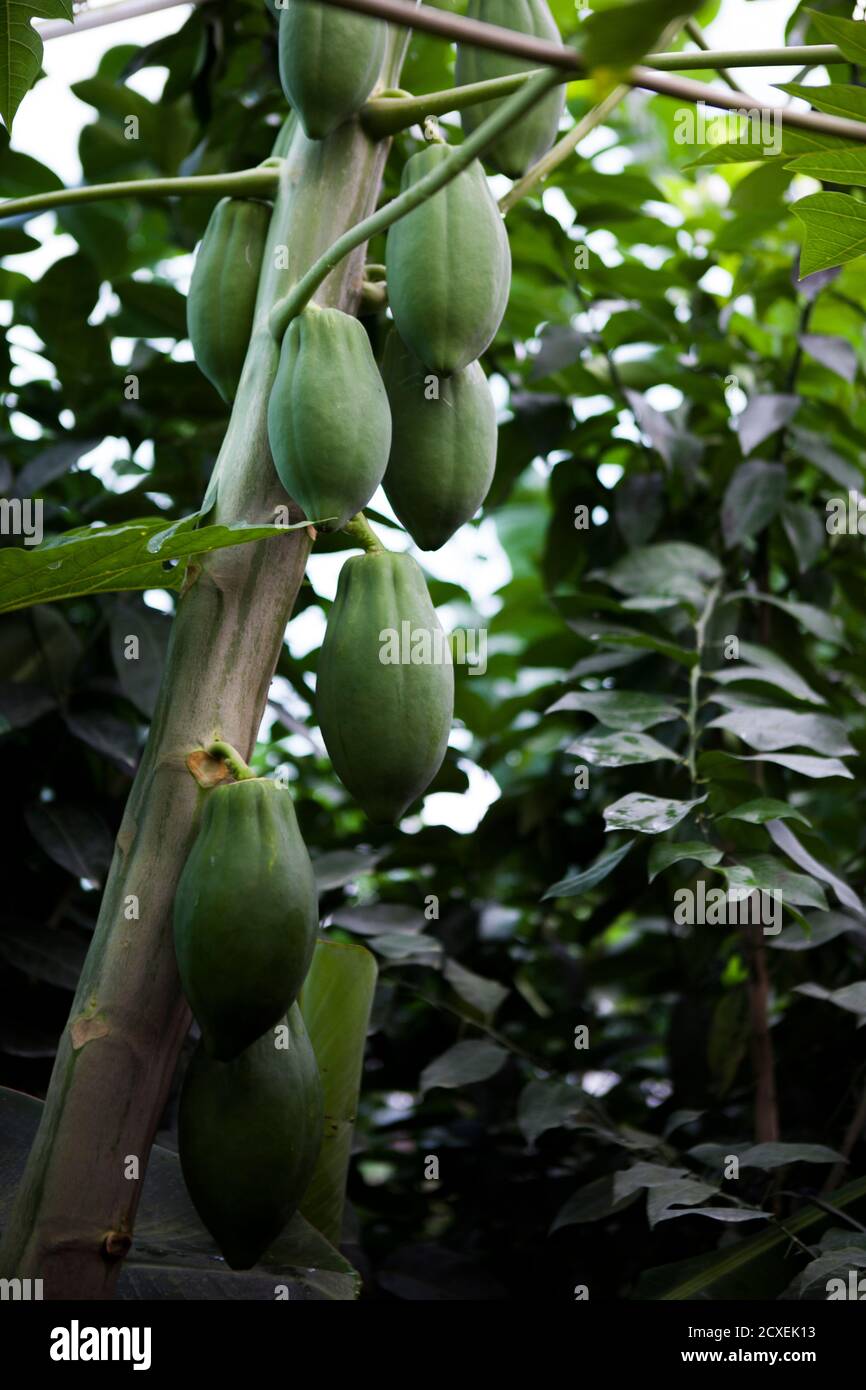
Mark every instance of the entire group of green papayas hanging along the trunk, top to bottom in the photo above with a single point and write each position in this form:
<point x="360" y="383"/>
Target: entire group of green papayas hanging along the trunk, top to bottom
<point x="425" y="427"/>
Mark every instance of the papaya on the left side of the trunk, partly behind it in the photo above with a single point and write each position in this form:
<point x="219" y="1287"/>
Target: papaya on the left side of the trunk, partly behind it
<point x="222" y="301"/>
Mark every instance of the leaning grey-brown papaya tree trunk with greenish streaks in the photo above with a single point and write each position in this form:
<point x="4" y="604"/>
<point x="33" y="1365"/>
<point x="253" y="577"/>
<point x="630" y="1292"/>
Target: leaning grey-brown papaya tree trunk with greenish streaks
<point x="76" y="1207"/>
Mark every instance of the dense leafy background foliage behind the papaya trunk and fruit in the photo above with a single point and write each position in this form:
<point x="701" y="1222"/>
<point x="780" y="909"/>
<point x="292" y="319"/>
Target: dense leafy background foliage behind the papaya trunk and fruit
<point x="704" y="407"/>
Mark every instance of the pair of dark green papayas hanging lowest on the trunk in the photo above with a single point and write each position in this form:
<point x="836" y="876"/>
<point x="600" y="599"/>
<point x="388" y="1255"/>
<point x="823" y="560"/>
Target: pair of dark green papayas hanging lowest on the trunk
<point x="245" y="921"/>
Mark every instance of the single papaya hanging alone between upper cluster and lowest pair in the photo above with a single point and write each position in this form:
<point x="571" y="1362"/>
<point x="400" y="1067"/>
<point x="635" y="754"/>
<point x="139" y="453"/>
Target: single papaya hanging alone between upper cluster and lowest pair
<point x="386" y="692"/>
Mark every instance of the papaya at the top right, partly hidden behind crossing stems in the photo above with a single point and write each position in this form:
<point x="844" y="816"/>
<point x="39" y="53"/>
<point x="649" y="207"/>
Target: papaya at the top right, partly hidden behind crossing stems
<point x="525" y="142"/>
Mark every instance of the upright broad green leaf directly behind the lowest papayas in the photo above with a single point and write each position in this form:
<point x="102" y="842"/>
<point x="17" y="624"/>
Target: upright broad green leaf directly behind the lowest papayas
<point x="336" y="1003"/>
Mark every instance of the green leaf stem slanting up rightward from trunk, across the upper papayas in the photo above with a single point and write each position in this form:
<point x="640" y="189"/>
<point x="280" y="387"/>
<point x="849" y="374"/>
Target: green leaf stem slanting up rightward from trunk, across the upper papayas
<point x="461" y="158"/>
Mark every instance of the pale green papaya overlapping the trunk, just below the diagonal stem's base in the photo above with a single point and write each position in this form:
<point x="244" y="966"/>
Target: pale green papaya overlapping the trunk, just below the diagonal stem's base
<point x="329" y="416"/>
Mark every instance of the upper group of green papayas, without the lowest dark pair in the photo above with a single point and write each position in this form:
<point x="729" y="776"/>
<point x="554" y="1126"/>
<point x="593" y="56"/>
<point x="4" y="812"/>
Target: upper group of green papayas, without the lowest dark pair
<point x="423" y="423"/>
